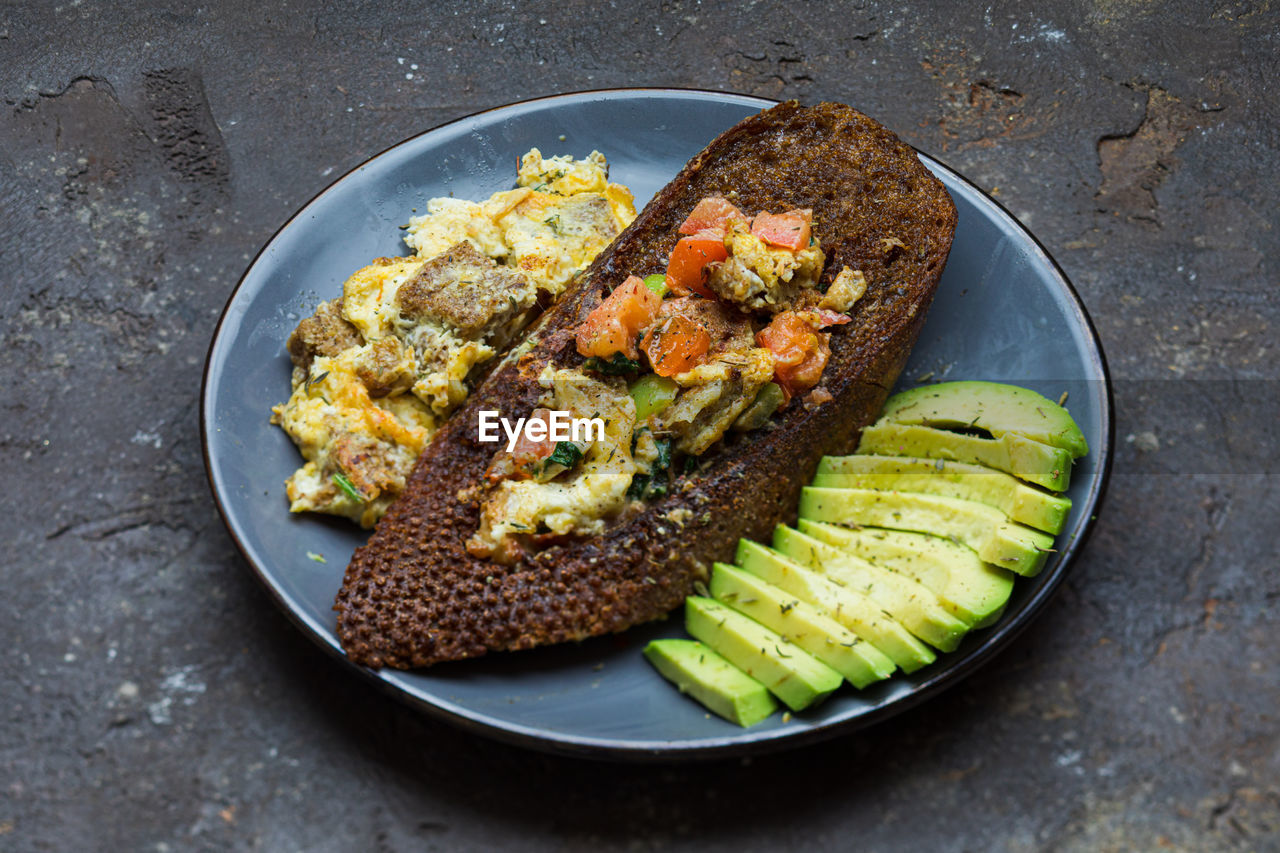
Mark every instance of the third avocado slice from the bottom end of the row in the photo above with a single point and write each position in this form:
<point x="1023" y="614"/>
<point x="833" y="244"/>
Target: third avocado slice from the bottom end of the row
<point x="825" y="638"/>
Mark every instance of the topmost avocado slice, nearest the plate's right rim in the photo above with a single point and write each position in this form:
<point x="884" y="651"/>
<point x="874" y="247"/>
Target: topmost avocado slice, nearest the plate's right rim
<point x="996" y="408"/>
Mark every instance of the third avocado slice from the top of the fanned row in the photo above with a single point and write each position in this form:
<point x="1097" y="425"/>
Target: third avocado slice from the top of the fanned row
<point x="1017" y="500"/>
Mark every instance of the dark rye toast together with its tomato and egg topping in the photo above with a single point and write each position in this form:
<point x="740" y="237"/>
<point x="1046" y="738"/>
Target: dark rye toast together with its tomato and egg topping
<point x="771" y="339"/>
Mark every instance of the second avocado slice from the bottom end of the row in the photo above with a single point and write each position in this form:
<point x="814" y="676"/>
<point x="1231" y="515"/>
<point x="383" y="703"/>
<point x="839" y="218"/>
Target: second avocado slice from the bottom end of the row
<point x="789" y="672"/>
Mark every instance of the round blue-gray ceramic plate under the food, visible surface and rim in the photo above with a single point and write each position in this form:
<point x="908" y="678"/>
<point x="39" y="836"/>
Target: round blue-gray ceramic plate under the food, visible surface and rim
<point x="1004" y="312"/>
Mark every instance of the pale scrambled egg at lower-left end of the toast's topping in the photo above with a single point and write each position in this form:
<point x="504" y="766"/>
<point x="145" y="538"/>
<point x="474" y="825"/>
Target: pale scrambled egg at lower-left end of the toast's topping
<point x="575" y="504"/>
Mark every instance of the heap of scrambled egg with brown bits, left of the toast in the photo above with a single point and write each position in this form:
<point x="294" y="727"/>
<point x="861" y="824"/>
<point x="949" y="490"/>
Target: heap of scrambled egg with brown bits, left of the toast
<point x="381" y="368"/>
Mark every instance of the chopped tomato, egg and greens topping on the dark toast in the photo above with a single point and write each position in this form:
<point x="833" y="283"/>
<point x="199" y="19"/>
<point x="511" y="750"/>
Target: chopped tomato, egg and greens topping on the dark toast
<point x="724" y="340"/>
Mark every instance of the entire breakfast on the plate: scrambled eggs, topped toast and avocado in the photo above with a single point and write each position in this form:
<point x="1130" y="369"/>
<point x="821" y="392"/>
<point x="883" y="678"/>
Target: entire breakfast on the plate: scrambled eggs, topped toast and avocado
<point x="701" y="398"/>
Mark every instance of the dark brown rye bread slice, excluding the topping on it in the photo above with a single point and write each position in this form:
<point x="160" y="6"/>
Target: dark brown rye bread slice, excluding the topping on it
<point x="413" y="596"/>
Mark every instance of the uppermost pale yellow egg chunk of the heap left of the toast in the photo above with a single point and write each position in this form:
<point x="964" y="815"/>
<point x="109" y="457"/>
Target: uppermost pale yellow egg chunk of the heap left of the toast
<point x="551" y="227"/>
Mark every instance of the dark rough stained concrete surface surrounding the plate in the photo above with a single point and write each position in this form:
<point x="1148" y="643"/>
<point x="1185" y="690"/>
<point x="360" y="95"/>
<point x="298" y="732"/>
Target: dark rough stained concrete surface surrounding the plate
<point x="152" y="696"/>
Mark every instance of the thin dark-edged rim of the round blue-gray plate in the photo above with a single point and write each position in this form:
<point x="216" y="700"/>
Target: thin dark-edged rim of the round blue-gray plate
<point x="739" y="743"/>
